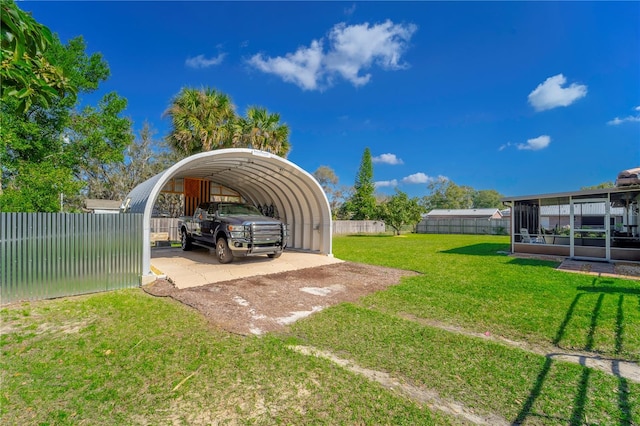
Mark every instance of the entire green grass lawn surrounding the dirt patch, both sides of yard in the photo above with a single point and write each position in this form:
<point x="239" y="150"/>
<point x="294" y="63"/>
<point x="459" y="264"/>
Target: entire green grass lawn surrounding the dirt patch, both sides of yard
<point x="128" y="358"/>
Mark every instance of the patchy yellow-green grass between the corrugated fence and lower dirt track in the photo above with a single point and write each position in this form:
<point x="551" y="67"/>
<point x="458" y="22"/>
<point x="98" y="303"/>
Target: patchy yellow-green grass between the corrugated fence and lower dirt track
<point x="126" y="358"/>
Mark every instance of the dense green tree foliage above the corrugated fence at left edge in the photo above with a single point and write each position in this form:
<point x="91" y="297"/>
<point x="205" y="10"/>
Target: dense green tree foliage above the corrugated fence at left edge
<point x="48" y="148"/>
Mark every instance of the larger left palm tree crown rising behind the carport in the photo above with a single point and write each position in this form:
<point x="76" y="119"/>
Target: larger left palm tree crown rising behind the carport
<point x="201" y="120"/>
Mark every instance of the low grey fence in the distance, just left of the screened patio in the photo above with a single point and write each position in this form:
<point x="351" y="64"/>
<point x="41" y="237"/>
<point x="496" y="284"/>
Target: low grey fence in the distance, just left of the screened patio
<point x="463" y="226"/>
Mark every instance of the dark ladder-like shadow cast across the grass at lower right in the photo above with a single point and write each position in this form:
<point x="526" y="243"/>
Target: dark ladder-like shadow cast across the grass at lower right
<point x="580" y="400"/>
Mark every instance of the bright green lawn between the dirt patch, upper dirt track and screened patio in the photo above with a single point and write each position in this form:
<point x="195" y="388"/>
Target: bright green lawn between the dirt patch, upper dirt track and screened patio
<point x="466" y="281"/>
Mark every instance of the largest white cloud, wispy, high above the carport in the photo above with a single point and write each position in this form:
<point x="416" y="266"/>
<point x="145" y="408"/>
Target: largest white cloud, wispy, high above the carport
<point x="352" y="50"/>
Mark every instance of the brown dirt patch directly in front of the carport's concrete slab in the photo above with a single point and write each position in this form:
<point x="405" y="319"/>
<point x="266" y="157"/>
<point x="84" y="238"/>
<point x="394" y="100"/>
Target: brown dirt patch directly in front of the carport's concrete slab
<point x="261" y="304"/>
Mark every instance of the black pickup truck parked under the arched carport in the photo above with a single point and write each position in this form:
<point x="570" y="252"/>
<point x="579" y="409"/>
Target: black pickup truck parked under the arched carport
<point x="234" y="229"/>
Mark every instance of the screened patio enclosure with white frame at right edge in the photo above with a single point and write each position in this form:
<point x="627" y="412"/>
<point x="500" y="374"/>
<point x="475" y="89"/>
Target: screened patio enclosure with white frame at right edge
<point x="597" y="224"/>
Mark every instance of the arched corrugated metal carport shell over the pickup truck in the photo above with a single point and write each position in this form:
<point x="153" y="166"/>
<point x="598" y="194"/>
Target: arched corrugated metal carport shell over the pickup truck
<point x="260" y="178"/>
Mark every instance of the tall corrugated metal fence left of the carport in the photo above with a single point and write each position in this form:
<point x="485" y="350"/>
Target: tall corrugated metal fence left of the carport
<point x="47" y="255"/>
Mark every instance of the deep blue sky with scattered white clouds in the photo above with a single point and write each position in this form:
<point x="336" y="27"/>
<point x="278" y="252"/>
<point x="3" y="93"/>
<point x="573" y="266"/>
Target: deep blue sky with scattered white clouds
<point x="520" y="97"/>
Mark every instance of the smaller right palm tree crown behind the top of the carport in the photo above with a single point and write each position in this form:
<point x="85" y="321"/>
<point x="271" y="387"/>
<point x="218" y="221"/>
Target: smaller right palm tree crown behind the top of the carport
<point x="262" y="130"/>
